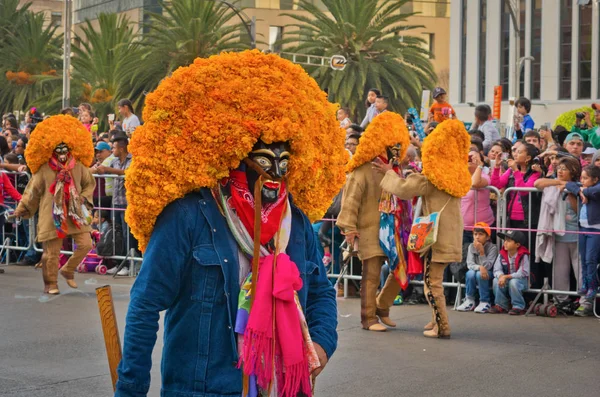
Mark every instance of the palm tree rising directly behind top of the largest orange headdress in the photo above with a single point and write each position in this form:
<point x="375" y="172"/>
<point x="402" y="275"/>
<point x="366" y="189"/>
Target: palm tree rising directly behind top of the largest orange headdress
<point x="186" y="30"/>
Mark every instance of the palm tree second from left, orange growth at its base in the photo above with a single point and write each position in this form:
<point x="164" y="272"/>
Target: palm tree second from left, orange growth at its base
<point x="102" y="63"/>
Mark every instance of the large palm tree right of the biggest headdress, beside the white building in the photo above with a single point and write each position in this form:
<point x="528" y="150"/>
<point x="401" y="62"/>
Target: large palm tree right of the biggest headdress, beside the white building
<point x="375" y="40"/>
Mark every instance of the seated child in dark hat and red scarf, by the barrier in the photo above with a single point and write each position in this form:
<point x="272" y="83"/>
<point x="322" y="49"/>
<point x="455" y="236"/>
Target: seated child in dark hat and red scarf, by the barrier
<point x="511" y="274"/>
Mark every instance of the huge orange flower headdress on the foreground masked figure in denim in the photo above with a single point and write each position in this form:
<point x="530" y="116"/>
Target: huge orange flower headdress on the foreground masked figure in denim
<point x="207" y="117"/>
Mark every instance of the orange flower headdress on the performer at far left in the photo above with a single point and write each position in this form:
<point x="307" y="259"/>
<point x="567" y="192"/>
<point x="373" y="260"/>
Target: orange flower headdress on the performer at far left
<point x="53" y="131"/>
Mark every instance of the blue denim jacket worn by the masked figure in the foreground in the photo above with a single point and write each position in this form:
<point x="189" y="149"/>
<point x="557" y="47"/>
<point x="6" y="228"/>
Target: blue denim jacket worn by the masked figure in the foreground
<point x="190" y="269"/>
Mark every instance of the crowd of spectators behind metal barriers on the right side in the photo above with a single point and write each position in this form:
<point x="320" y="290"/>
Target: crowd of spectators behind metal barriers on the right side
<point x="552" y="229"/>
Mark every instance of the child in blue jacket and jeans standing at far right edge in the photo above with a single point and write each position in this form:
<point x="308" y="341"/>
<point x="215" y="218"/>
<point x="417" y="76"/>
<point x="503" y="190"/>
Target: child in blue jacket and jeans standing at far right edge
<point x="589" y="244"/>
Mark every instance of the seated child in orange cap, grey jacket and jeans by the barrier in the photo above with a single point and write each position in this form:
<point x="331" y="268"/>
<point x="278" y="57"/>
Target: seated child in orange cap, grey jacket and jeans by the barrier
<point x="480" y="260"/>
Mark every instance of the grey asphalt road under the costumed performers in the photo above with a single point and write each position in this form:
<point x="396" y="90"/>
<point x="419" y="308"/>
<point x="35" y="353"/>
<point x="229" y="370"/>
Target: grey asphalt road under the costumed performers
<point x="54" y="347"/>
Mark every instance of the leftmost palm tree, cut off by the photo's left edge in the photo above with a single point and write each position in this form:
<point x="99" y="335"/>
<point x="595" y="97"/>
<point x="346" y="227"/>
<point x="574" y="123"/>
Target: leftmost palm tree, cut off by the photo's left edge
<point x="31" y="57"/>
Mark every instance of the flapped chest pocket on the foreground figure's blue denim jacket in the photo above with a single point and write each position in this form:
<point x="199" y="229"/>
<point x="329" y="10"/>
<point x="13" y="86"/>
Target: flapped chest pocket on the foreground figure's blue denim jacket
<point x="207" y="275"/>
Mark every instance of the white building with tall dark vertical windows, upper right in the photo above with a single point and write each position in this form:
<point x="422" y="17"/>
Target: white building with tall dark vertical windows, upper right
<point x="562" y="36"/>
